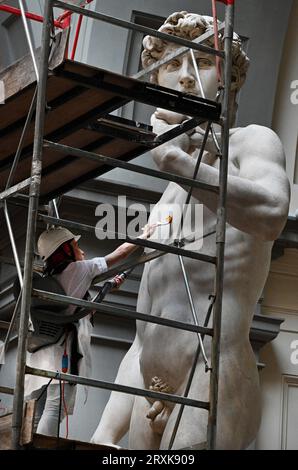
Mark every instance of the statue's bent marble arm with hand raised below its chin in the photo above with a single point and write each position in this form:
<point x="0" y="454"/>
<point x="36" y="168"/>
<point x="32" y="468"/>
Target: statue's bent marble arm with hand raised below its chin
<point x="257" y="197"/>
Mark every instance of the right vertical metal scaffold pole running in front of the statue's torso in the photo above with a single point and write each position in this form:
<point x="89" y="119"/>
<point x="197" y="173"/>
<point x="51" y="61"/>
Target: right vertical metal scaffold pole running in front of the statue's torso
<point x="221" y="228"/>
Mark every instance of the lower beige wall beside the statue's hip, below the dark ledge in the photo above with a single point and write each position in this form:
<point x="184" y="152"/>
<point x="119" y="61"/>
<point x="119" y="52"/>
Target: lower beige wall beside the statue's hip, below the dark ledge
<point x="279" y="379"/>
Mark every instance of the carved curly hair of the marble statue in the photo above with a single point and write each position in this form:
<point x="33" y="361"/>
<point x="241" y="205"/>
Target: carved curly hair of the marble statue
<point x="190" y="26"/>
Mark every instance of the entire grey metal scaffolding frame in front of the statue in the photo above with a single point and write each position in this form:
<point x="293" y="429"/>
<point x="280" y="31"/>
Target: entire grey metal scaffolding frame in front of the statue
<point x="201" y="110"/>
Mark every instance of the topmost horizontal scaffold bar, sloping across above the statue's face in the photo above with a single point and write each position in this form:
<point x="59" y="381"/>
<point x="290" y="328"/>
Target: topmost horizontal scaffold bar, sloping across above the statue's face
<point x="136" y="27"/>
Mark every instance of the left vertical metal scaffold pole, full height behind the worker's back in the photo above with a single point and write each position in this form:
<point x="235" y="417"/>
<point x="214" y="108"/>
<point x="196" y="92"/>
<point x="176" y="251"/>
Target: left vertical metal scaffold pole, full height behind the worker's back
<point x="31" y="227"/>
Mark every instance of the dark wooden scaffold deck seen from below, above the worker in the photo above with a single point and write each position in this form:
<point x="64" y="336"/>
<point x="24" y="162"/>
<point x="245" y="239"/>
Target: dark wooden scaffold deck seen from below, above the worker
<point x="79" y="98"/>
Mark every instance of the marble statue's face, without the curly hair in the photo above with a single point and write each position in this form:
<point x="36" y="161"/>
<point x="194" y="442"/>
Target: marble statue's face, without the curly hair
<point x="180" y="74"/>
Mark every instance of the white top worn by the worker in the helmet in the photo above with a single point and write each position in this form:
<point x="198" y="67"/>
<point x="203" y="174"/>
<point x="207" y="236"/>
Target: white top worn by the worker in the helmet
<point x="76" y="279"/>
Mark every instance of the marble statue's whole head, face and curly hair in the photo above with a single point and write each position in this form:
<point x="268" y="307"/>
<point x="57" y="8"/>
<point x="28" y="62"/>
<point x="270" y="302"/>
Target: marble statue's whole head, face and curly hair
<point x="190" y="26"/>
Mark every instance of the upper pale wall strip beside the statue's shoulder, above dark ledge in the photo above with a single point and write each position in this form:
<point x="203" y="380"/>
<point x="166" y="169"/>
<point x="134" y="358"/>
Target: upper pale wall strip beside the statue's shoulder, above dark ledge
<point x="285" y="121"/>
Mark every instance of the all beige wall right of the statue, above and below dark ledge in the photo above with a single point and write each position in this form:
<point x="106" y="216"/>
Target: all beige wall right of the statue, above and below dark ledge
<point x="279" y="379"/>
